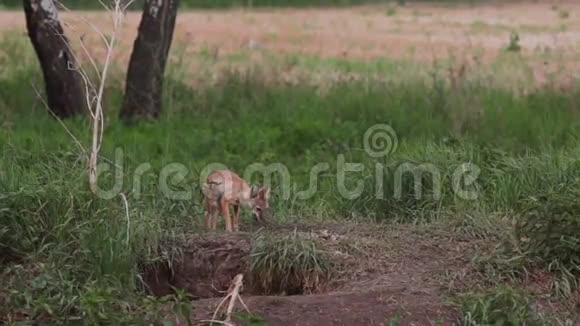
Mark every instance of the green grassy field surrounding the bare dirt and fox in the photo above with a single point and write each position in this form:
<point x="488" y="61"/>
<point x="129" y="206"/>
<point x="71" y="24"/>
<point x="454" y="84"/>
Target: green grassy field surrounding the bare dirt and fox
<point x="68" y="255"/>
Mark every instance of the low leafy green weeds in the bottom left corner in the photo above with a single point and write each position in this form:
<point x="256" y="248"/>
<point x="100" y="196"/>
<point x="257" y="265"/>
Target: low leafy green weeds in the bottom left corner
<point x="45" y="294"/>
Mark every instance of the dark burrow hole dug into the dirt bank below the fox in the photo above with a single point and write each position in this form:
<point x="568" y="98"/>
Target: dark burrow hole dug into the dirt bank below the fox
<point x="207" y="266"/>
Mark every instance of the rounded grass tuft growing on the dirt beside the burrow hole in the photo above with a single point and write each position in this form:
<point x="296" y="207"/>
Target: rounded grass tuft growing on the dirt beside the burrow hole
<point x="289" y="264"/>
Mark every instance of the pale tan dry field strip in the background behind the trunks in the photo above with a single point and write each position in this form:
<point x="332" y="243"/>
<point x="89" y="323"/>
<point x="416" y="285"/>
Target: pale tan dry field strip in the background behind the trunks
<point x="471" y="34"/>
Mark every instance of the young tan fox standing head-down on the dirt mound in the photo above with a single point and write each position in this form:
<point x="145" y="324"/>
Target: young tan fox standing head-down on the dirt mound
<point x="224" y="188"/>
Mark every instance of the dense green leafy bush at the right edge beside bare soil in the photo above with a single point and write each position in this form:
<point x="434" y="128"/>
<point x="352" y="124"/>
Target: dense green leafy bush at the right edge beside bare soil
<point x="545" y="237"/>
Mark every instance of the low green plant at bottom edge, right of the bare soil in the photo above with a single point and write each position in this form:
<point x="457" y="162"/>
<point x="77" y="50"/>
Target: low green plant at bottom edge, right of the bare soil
<point x="502" y="306"/>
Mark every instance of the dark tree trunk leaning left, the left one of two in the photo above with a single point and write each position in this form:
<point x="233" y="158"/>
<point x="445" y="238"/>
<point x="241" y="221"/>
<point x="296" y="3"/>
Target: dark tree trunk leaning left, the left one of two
<point x="65" y="89"/>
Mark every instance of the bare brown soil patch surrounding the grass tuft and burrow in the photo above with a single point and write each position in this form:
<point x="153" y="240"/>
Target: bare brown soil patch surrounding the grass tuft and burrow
<point x="378" y="272"/>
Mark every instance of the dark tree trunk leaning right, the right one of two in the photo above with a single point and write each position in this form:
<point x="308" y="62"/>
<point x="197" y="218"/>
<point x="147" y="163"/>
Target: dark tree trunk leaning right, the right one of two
<point x="143" y="90"/>
